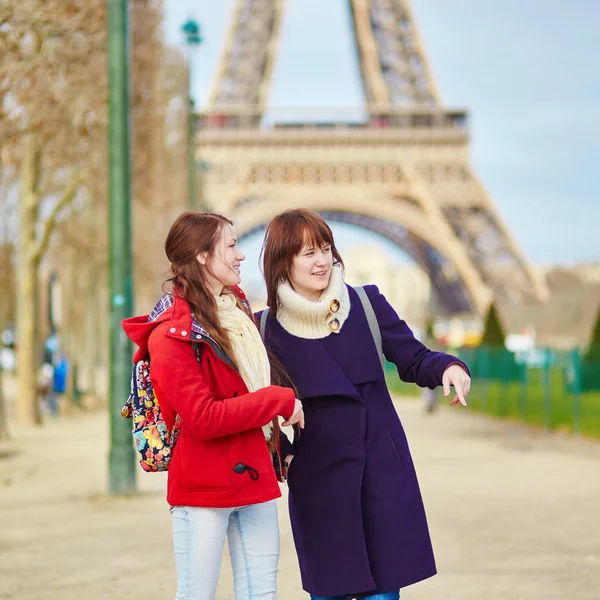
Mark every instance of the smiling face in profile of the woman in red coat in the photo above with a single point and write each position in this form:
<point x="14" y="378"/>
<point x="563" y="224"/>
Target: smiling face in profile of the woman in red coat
<point x="224" y="264"/>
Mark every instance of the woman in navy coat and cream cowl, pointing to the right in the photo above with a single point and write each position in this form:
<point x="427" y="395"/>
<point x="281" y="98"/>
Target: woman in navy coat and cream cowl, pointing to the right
<point x="357" y="516"/>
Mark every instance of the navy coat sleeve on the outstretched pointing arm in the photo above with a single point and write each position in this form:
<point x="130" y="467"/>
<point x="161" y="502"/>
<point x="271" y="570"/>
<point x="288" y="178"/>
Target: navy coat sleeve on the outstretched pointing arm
<point x="414" y="361"/>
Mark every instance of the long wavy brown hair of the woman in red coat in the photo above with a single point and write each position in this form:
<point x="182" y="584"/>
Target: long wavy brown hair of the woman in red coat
<point x="191" y="234"/>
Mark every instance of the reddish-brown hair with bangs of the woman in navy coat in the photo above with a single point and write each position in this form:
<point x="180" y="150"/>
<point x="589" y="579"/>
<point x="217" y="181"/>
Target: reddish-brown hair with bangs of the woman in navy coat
<point x="286" y="235"/>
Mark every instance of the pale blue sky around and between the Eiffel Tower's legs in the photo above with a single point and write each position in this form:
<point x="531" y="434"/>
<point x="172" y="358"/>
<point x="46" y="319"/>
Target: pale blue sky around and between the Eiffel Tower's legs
<point x="529" y="72"/>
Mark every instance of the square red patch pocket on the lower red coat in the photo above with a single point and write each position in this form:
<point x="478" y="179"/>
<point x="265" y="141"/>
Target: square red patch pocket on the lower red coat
<point x="204" y="464"/>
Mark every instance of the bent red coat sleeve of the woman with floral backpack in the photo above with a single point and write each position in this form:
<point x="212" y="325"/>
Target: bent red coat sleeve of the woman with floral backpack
<point x="177" y="378"/>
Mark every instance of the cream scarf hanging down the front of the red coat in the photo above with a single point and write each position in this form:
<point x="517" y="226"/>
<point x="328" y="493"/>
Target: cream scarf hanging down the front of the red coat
<point x="249" y="351"/>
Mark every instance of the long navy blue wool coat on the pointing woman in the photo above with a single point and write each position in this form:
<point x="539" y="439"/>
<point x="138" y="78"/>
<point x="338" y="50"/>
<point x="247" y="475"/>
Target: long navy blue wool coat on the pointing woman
<point x="357" y="515"/>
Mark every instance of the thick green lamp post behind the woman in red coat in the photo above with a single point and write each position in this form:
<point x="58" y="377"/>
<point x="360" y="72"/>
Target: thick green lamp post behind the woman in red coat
<point x="122" y="455"/>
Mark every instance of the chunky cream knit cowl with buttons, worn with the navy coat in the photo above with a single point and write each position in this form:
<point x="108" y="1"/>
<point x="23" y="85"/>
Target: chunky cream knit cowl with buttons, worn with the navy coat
<point x="309" y="319"/>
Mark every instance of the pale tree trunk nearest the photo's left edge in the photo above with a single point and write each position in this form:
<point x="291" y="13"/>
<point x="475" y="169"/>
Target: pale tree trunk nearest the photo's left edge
<point x="28" y="412"/>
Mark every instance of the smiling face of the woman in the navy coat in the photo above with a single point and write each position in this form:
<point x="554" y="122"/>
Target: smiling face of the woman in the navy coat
<point x="311" y="270"/>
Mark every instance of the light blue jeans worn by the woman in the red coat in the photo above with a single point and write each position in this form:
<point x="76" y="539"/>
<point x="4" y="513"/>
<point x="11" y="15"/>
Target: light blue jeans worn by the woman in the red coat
<point x="252" y="534"/>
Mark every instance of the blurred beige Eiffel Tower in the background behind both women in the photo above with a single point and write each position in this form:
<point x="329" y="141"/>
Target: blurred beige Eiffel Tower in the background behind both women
<point x="402" y="172"/>
